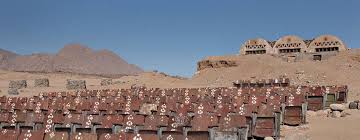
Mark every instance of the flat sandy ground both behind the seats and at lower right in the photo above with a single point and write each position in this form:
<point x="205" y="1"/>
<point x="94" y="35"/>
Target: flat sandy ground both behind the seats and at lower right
<point x="318" y="127"/>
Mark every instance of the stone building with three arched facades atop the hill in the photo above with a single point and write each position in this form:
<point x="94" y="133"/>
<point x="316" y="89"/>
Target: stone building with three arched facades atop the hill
<point x="293" y="48"/>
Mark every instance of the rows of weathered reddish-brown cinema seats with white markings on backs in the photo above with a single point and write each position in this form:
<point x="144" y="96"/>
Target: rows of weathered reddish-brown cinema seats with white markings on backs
<point x="180" y="113"/>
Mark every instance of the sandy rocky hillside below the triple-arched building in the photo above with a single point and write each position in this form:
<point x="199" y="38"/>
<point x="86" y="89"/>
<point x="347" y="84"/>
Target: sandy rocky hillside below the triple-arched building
<point x="342" y="69"/>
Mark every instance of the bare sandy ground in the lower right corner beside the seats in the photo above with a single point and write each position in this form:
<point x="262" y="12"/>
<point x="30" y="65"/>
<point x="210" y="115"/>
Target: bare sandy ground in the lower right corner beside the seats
<point x="326" y="128"/>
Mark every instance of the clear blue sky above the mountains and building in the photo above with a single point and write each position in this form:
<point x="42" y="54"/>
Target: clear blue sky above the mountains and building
<point x="170" y="36"/>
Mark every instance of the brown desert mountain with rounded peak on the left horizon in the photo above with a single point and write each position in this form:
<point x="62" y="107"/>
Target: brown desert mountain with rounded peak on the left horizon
<point x="72" y="58"/>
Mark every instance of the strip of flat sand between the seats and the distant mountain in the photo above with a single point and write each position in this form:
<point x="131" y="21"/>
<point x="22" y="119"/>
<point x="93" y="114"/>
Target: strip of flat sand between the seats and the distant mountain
<point x="58" y="81"/>
